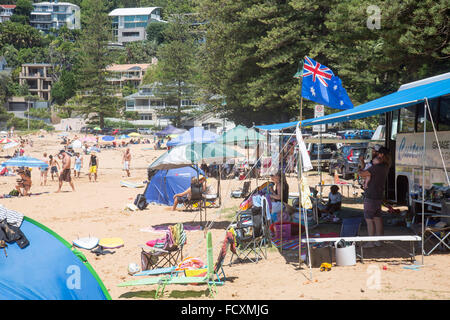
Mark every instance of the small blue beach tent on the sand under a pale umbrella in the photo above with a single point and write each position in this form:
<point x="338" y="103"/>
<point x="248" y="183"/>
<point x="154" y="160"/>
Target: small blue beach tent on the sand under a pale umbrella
<point x="166" y="183"/>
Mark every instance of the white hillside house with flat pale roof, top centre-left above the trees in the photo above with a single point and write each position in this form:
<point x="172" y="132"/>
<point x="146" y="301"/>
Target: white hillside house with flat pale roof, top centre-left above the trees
<point x="130" y="24"/>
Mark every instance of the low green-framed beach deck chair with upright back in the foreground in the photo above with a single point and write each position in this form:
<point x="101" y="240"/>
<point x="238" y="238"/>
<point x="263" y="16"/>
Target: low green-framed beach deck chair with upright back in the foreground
<point x="162" y="282"/>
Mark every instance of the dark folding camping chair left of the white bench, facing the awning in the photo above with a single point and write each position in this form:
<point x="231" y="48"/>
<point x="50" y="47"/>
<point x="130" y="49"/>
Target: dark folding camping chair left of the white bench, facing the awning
<point x="252" y="235"/>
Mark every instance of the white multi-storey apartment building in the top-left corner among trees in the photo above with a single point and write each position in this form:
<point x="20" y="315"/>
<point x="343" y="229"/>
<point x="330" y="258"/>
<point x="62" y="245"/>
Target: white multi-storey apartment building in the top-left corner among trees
<point x="54" y="15"/>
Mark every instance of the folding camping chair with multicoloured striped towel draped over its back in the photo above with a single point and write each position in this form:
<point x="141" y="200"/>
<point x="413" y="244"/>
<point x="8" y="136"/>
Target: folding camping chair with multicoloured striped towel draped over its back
<point x="165" y="253"/>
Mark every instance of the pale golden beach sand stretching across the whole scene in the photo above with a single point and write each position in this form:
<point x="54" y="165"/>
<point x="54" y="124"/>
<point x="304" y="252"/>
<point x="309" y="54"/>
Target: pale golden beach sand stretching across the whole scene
<point x="97" y="209"/>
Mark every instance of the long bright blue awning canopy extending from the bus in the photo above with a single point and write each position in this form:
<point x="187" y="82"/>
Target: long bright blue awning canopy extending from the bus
<point x="391" y="102"/>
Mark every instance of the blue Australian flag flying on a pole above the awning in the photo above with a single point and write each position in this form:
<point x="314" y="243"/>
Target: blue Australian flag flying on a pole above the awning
<point x="322" y="86"/>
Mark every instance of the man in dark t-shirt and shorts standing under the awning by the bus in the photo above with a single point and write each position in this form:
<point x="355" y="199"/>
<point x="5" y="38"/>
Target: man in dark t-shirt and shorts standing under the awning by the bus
<point x="374" y="194"/>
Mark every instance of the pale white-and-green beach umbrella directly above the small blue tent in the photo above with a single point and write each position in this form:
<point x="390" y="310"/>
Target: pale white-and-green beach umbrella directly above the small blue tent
<point x="189" y="154"/>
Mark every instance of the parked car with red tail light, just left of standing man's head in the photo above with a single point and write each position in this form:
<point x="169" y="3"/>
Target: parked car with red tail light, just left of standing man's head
<point x="346" y="160"/>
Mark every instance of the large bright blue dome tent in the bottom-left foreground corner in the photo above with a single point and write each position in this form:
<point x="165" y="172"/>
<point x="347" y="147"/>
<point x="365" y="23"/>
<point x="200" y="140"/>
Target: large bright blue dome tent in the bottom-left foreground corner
<point x="47" y="269"/>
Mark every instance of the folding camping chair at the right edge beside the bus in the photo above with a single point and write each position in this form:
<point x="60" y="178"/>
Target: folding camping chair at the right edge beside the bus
<point x="441" y="230"/>
